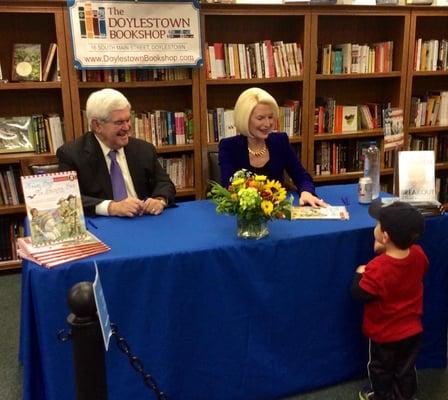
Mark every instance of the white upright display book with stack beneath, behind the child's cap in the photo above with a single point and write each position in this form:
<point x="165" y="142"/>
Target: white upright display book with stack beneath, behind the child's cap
<point x="416" y="182"/>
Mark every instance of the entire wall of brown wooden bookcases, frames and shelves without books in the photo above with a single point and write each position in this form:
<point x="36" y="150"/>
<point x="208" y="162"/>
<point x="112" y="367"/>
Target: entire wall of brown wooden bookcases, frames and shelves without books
<point x="46" y="21"/>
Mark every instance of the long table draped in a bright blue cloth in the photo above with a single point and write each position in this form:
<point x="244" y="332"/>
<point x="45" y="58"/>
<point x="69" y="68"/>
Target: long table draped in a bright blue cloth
<point x="218" y="318"/>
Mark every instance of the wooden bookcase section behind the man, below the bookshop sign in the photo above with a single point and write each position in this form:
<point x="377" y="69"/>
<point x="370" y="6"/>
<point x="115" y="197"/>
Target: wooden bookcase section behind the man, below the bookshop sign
<point x="144" y="96"/>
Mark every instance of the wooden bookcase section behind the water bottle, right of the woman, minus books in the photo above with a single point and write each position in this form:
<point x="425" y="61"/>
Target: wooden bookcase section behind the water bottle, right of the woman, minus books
<point x="360" y="25"/>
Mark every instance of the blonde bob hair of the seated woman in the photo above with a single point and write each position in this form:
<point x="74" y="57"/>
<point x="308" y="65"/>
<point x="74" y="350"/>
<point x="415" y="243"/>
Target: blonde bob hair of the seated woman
<point x="245" y="105"/>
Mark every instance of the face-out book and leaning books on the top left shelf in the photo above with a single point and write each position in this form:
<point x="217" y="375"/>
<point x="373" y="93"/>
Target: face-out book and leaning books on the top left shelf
<point x="27" y="63"/>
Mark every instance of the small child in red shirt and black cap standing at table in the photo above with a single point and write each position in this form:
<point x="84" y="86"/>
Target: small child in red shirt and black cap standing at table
<point x="391" y="285"/>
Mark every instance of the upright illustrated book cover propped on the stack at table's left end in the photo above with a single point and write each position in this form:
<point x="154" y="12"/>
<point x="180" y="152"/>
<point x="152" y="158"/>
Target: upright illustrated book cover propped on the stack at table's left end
<point x="54" y="208"/>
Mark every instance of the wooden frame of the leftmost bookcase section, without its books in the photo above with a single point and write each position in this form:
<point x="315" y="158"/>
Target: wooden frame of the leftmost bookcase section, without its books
<point x="26" y="22"/>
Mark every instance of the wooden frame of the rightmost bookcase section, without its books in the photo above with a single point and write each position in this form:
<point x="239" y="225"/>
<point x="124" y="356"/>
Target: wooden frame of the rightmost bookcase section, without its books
<point x="428" y="24"/>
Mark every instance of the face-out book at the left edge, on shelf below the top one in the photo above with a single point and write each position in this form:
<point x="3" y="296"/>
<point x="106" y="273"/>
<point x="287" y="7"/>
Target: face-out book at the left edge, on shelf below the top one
<point x="16" y="135"/>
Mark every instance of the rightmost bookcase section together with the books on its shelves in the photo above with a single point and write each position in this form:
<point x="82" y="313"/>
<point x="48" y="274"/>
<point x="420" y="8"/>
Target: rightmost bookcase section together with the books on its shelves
<point x="425" y="81"/>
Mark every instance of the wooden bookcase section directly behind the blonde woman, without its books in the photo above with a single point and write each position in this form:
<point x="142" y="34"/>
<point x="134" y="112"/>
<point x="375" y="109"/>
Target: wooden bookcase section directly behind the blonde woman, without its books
<point x="222" y="23"/>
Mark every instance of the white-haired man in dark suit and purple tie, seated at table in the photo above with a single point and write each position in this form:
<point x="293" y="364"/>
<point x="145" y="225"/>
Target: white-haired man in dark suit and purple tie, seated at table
<point x="118" y="174"/>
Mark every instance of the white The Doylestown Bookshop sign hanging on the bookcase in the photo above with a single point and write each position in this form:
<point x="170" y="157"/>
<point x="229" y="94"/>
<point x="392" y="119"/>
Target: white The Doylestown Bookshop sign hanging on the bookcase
<point x="132" y="34"/>
